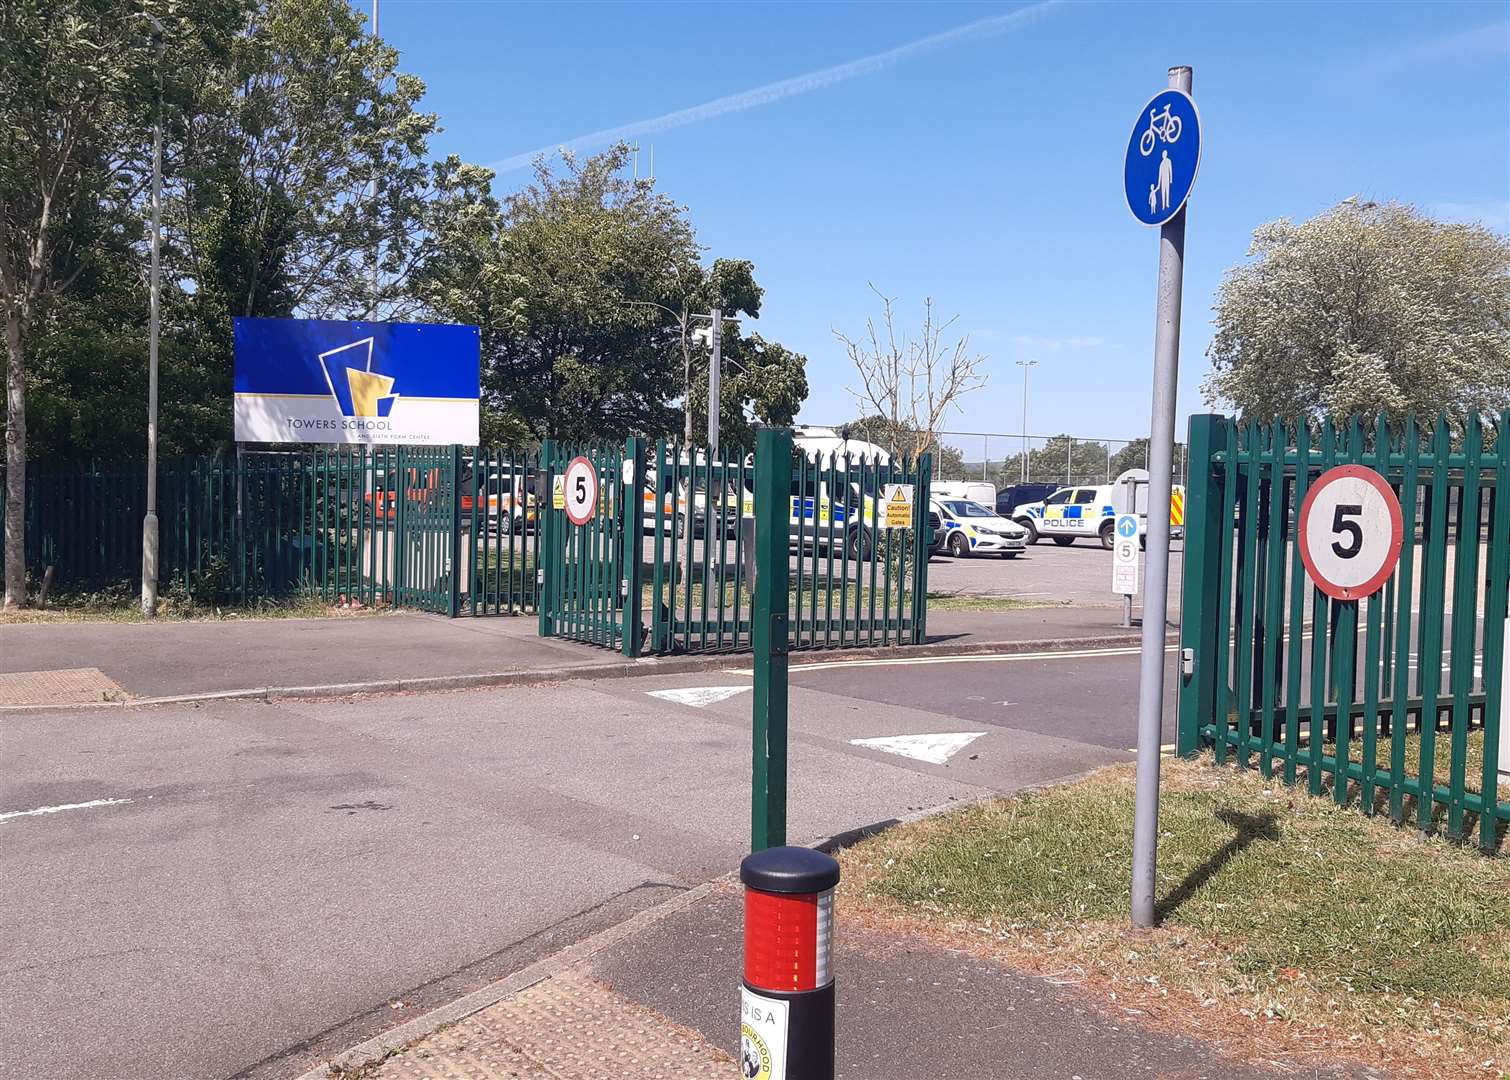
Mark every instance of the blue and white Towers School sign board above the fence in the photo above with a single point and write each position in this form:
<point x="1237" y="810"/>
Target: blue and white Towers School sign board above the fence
<point x="318" y="381"/>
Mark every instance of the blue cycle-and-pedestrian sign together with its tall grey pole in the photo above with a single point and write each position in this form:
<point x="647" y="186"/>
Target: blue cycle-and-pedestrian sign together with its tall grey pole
<point x="1162" y="164"/>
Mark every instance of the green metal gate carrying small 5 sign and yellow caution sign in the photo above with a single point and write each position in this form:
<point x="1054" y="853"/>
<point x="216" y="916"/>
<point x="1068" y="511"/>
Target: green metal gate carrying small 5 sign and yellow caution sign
<point x="667" y="564"/>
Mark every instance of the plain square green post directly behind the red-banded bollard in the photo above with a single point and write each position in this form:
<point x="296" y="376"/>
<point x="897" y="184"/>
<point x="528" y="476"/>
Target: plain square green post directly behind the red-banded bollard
<point x="769" y="634"/>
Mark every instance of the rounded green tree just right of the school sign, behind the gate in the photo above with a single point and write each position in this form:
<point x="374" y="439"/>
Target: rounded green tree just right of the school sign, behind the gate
<point x="587" y="286"/>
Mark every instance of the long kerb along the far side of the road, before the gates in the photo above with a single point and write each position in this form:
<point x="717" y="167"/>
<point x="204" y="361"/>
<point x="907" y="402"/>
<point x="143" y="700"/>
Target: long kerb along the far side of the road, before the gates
<point x="674" y="665"/>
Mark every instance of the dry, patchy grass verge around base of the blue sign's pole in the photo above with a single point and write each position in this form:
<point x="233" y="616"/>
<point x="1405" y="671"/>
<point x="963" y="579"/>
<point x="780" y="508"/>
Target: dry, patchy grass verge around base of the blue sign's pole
<point x="1293" y="933"/>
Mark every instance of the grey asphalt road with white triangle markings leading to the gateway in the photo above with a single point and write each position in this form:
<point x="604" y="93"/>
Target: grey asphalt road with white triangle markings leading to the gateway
<point x="251" y="887"/>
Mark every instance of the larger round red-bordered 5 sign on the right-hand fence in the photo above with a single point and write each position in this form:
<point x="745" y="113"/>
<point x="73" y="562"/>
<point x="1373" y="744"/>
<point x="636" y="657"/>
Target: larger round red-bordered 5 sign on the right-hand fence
<point x="1351" y="532"/>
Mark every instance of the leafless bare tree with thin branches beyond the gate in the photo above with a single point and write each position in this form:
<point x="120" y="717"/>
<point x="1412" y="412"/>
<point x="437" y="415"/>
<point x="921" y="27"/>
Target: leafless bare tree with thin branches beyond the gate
<point x="913" y="383"/>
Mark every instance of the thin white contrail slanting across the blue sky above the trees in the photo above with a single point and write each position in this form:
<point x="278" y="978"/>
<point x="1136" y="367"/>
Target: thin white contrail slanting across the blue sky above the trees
<point x="787" y="88"/>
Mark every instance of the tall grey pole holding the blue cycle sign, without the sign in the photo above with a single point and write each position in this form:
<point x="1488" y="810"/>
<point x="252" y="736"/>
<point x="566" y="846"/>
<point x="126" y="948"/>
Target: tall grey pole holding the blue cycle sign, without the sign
<point x="1156" y="602"/>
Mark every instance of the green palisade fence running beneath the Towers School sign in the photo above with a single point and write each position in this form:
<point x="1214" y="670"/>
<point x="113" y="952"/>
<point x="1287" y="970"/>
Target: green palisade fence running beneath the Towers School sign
<point x="416" y="528"/>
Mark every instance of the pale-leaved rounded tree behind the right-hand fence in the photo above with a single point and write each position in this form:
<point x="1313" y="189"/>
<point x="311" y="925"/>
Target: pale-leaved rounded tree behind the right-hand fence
<point x="1367" y="307"/>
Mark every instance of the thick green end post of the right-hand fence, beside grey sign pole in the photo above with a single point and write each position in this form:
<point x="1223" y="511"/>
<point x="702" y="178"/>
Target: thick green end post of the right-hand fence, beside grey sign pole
<point x="1206" y="517"/>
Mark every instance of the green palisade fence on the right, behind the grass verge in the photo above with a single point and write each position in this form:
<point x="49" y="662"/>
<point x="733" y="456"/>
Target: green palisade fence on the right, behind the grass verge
<point x="1391" y="702"/>
